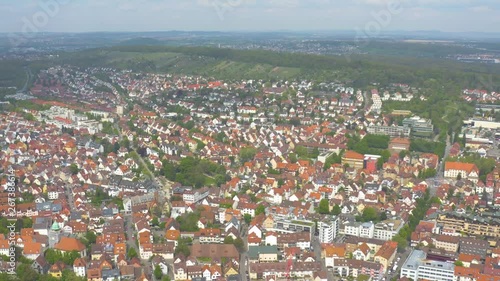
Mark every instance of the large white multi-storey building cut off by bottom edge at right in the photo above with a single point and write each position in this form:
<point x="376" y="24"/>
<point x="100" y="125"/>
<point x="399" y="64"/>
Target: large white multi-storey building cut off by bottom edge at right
<point x="418" y="267"/>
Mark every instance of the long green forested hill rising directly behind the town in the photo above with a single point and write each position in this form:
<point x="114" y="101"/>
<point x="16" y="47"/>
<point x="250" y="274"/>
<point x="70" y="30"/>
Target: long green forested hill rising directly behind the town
<point x="259" y="64"/>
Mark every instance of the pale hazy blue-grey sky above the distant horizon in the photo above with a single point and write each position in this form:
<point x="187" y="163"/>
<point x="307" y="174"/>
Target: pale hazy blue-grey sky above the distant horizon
<point x="369" y="17"/>
